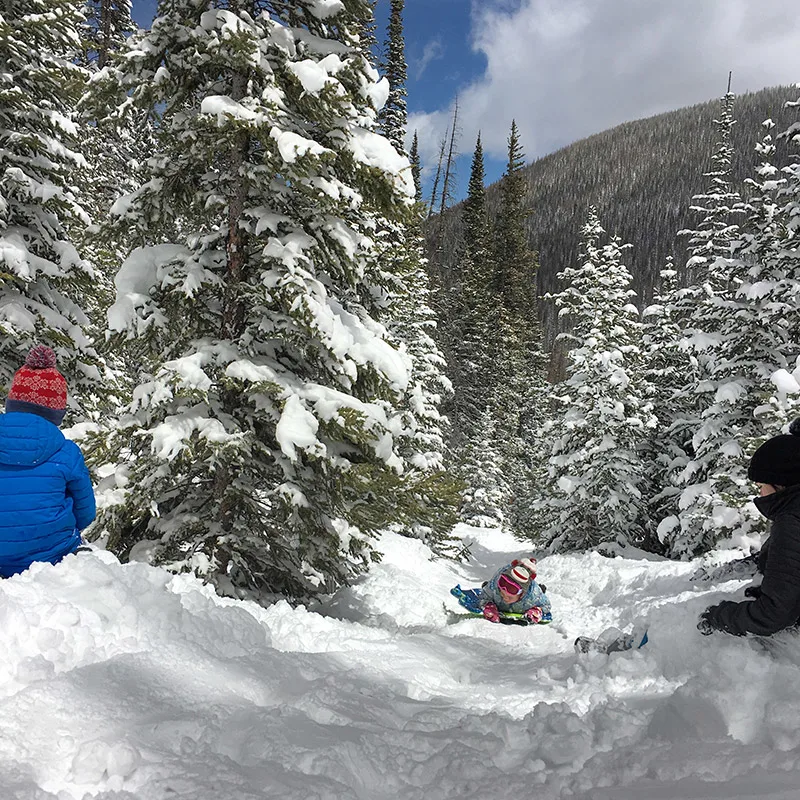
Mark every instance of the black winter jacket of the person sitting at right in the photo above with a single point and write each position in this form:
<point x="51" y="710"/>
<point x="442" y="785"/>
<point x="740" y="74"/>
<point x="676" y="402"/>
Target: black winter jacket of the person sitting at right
<point x="778" y="605"/>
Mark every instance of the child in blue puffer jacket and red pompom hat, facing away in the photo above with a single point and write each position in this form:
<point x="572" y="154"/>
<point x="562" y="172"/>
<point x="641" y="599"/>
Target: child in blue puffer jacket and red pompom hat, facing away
<point x="46" y="495"/>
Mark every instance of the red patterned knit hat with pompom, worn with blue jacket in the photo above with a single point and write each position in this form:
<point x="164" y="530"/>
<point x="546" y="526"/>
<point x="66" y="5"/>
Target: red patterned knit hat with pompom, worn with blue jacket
<point x="38" y="387"/>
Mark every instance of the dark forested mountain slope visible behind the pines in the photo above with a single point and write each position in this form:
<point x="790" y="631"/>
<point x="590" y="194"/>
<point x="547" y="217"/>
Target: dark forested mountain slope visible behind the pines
<point x="641" y="176"/>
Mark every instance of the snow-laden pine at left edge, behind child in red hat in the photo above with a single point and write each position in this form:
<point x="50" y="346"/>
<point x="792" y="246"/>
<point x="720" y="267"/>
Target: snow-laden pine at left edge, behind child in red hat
<point x="45" y="281"/>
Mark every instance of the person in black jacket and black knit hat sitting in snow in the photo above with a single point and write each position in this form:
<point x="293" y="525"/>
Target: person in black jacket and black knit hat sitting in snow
<point x="775" y="605"/>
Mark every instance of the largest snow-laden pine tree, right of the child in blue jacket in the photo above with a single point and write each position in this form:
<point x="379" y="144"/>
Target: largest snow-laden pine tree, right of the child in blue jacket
<point x="263" y="440"/>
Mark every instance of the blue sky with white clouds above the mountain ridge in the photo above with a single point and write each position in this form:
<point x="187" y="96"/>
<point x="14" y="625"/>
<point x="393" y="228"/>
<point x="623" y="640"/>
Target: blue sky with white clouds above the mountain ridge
<point x="565" y="69"/>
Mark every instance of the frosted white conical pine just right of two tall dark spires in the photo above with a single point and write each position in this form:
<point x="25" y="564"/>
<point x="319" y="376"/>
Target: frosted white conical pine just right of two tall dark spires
<point x="596" y="474"/>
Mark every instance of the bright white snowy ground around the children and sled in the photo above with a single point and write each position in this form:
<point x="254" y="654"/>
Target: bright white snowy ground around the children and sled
<point x="123" y="682"/>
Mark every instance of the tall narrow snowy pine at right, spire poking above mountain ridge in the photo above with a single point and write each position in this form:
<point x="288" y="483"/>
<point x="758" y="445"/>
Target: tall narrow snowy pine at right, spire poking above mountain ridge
<point x="710" y="504"/>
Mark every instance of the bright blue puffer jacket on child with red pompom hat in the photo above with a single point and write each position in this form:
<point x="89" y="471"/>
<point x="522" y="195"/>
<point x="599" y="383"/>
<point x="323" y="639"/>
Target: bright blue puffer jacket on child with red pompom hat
<point x="46" y="495"/>
